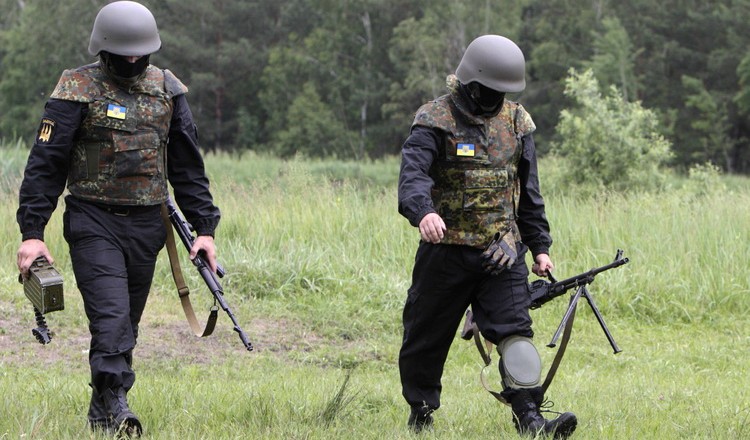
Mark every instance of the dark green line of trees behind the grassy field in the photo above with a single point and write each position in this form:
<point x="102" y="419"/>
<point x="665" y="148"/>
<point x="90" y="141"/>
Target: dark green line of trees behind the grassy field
<point x="343" y="78"/>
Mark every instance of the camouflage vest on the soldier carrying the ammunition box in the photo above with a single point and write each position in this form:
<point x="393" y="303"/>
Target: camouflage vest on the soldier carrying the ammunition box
<point x="120" y="152"/>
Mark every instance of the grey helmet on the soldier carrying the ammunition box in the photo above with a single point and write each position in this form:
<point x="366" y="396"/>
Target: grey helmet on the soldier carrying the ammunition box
<point x="125" y="28"/>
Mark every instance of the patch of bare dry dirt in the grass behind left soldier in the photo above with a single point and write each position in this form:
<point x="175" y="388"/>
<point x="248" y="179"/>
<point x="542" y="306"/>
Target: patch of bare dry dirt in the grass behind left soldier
<point x="161" y="337"/>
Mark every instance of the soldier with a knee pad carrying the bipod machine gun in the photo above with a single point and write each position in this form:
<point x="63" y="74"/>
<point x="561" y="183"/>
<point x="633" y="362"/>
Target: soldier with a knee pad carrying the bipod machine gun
<point x="469" y="182"/>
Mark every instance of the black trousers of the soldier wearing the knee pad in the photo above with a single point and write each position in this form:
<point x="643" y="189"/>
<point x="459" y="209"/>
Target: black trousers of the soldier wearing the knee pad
<point x="446" y="280"/>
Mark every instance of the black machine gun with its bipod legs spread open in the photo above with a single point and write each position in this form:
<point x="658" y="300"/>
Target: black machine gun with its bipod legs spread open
<point x="543" y="291"/>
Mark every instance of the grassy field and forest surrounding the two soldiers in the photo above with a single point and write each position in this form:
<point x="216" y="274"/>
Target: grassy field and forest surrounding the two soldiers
<point x="304" y="105"/>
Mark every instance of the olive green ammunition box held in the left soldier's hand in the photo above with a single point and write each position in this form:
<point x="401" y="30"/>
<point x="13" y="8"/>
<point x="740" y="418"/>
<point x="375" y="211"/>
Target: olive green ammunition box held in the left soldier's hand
<point x="44" y="288"/>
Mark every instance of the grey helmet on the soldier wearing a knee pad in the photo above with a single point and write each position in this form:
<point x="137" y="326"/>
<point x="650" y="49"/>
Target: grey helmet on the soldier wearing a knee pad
<point x="495" y="62"/>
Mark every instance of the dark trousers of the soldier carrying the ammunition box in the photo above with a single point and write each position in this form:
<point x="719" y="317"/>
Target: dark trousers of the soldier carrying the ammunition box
<point x="113" y="251"/>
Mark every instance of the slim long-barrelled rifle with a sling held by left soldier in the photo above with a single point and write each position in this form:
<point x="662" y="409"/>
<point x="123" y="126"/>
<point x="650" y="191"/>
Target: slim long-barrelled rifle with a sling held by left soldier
<point x="184" y="230"/>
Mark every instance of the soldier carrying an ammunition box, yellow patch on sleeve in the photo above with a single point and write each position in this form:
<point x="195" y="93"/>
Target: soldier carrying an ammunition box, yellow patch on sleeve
<point x="107" y="130"/>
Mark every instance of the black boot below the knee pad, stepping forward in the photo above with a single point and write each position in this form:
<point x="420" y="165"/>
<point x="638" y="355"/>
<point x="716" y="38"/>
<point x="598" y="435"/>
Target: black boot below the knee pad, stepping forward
<point x="528" y="419"/>
